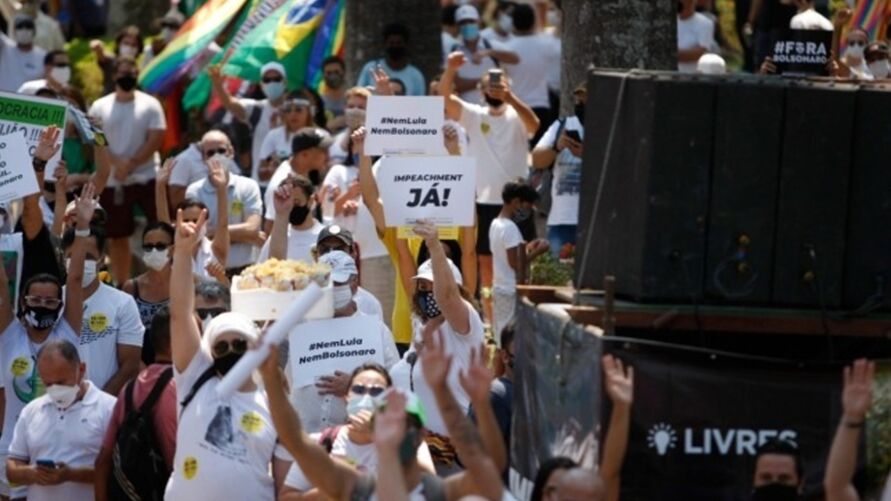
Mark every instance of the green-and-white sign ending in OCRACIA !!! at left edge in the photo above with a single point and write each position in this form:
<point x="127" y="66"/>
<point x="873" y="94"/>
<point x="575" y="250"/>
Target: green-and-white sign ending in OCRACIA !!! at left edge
<point x="28" y="116"/>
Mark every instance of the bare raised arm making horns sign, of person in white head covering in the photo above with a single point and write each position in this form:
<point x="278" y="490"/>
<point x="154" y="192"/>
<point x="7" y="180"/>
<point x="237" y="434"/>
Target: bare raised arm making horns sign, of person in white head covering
<point x="186" y="339"/>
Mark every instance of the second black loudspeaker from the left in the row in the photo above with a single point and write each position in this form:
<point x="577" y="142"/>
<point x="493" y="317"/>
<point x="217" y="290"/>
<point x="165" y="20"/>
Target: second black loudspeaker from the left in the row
<point x="748" y="141"/>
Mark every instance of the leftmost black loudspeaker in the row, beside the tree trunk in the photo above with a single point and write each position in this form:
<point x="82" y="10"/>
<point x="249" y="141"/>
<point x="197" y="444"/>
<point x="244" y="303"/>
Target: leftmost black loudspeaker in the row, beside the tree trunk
<point x="650" y="228"/>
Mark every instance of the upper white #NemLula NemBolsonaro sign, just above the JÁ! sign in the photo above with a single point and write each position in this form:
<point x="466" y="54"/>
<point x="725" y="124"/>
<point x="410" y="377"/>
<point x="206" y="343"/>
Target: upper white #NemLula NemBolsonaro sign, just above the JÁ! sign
<point x="404" y="125"/>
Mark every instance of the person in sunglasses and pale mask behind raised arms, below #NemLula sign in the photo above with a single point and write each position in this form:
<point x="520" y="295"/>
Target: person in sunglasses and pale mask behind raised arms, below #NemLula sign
<point x="352" y="442"/>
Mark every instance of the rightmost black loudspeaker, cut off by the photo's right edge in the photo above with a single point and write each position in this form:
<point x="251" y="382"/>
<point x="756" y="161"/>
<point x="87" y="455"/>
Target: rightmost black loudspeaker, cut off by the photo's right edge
<point x="868" y="253"/>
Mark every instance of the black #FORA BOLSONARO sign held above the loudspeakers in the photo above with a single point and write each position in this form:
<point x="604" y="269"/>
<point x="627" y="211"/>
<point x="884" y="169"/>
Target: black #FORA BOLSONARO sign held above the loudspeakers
<point x="802" y="52"/>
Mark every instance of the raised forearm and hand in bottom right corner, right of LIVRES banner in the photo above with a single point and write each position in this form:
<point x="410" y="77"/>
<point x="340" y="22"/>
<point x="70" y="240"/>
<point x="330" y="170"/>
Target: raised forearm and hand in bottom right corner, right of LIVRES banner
<point x="856" y="400"/>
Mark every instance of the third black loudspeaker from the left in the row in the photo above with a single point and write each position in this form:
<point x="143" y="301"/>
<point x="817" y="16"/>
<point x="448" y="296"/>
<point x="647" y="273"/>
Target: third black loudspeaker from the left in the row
<point x="813" y="195"/>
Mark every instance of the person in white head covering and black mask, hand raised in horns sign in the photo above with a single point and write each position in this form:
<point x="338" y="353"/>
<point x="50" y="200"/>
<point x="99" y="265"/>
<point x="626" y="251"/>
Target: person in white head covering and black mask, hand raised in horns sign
<point x="226" y="447"/>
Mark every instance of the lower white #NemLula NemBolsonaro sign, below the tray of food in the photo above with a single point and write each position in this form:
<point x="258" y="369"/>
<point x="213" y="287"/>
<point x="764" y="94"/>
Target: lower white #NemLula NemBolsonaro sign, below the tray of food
<point x="321" y="347"/>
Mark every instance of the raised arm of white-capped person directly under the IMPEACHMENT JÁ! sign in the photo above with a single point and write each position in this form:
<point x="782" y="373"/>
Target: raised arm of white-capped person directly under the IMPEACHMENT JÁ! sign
<point x="445" y="289"/>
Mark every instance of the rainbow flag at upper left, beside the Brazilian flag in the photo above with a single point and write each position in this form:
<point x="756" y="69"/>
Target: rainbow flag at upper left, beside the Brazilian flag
<point x="193" y="37"/>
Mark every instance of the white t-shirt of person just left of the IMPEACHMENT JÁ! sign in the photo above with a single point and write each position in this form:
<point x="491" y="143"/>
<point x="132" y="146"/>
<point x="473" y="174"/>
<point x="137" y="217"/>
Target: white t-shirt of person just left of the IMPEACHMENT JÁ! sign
<point x="361" y="225"/>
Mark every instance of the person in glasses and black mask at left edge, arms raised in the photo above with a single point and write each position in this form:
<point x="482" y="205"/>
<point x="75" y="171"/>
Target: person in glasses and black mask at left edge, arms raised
<point x="41" y="316"/>
